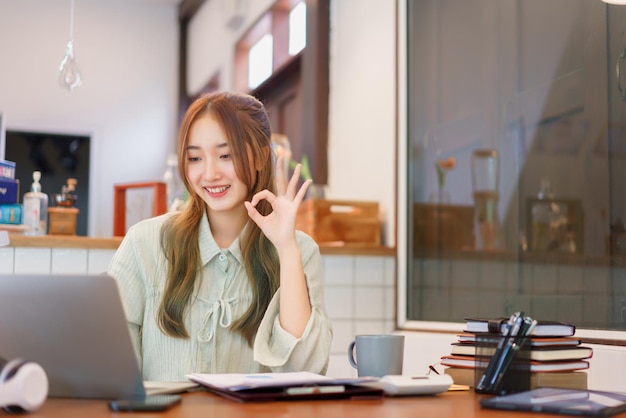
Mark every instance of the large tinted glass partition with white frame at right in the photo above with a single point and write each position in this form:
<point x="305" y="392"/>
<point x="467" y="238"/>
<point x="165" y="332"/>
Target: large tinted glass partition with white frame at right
<point x="515" y="162"/>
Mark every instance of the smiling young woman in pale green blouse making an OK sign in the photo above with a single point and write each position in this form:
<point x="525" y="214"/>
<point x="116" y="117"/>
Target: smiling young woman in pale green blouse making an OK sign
<point x="226" y="285"/>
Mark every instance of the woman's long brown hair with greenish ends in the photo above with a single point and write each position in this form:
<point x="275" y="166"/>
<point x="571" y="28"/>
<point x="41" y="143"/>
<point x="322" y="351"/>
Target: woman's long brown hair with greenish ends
<point x="245" y="123"/>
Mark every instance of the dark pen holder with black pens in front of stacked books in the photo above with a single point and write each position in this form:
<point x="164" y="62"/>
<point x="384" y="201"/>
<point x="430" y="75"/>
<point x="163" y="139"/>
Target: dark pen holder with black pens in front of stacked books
<point x="502" y="364"/>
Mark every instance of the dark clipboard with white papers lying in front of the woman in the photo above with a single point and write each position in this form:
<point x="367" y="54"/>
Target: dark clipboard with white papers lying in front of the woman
<point x="284" y="386"/>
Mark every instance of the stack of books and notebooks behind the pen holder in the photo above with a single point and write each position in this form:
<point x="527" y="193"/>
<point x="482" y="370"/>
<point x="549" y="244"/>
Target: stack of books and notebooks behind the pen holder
<point x="556" y="357"/>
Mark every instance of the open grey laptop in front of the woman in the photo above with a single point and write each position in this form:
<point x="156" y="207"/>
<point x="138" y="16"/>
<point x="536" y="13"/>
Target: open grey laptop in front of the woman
<point x="74" y="327"/>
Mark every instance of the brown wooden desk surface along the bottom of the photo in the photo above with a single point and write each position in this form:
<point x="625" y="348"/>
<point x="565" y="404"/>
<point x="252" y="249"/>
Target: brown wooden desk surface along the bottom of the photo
<point x="205" y="404"/>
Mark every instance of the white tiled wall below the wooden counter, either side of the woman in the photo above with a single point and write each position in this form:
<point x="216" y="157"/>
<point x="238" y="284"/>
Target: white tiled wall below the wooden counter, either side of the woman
<point x="360" y="290"/>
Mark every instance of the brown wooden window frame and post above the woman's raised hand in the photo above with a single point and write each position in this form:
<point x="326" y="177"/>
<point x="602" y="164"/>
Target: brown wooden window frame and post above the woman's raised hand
<point x="311" y="68"/>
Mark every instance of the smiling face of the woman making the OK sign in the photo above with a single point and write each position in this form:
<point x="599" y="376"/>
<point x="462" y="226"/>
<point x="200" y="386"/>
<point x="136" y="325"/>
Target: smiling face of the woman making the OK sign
<point x="210" y="168"/>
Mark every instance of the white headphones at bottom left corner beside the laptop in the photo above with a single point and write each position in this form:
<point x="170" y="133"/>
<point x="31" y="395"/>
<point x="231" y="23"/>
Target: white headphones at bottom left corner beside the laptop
<point x="23" y="385"/>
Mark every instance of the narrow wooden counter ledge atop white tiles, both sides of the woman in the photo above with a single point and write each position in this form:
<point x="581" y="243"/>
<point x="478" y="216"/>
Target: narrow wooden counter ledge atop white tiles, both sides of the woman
<point x="65" y="241"/>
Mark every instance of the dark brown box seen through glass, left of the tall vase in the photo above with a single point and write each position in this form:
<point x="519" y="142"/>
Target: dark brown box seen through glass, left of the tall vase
<point x="443" y="226"/>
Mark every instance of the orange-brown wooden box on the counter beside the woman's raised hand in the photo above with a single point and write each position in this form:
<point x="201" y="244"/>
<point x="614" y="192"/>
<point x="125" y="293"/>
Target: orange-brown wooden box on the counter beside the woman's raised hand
<point x="340" y="221"/>
